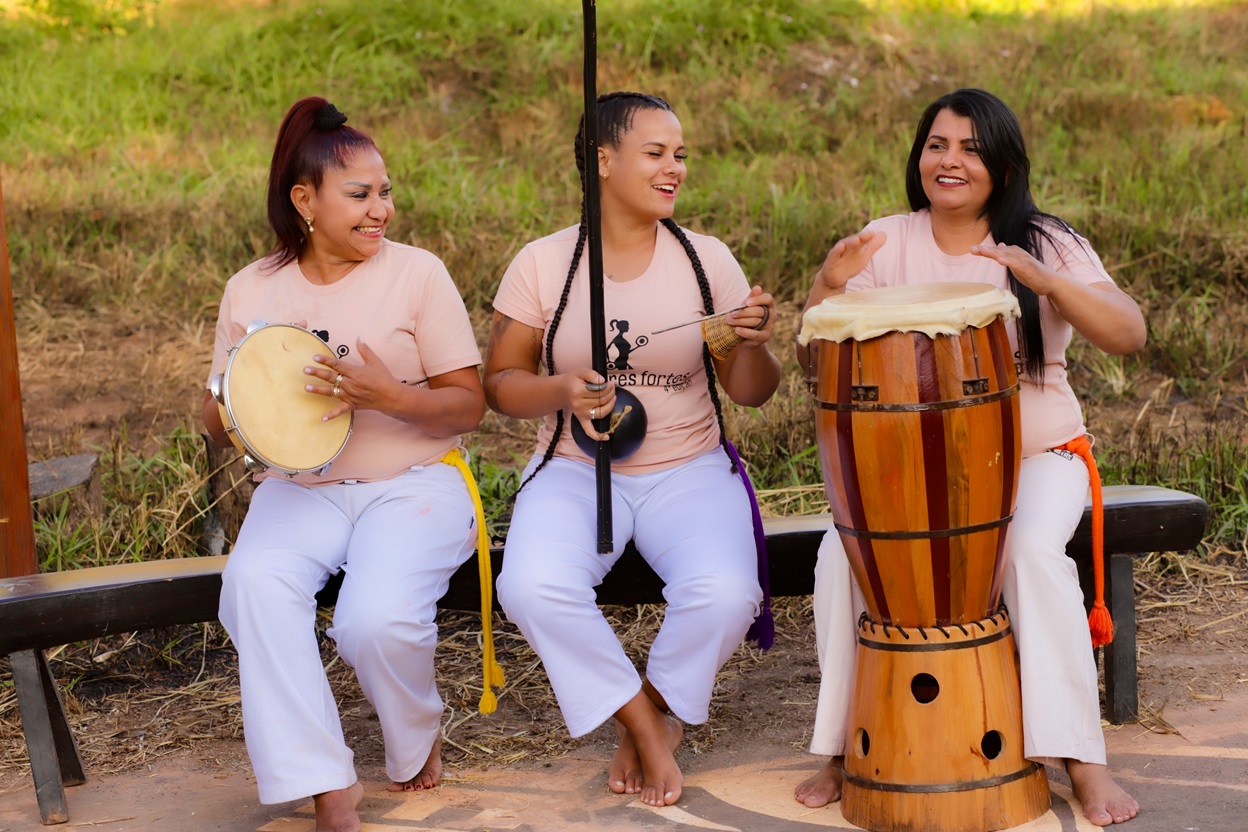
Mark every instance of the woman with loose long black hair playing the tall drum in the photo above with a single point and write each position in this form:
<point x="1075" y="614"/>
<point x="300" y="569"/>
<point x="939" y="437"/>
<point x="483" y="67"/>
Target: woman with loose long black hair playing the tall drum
<point x="975" y="221"/>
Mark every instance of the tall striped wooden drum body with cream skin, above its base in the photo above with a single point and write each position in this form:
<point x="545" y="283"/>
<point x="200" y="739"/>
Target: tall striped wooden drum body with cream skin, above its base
<point x="918" y="430"/>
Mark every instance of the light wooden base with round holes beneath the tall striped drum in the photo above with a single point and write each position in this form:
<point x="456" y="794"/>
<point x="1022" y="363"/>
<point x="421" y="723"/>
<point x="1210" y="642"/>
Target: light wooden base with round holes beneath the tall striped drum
<point x="937" y="732"/>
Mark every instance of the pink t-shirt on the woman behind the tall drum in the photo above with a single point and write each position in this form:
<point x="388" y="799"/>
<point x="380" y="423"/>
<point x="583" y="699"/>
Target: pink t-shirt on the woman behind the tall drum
<point x="1050" y="415"/>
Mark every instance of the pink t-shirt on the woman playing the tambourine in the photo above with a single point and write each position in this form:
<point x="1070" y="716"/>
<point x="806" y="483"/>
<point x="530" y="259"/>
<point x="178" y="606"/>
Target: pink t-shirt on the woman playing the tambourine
<point x="404" y="304"/>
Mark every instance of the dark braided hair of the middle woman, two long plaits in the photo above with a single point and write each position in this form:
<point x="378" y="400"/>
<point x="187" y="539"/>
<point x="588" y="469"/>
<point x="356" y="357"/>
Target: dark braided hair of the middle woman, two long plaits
<point x="616" y="113"/>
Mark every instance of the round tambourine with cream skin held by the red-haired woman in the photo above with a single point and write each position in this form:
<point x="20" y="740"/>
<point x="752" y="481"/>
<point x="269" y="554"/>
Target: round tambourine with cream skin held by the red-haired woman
<point x="268" y="414"/>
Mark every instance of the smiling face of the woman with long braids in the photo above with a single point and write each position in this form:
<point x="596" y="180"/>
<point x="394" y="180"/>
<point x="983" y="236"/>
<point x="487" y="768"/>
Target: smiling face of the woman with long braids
<point x="643" y="175"/>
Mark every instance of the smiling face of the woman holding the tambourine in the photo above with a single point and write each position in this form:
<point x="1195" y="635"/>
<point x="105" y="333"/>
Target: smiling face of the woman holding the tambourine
<point x="350" y="211"/>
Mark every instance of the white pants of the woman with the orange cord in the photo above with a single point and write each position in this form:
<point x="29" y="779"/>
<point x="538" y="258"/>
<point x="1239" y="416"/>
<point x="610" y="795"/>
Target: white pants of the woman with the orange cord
<point x="1041" y="589"/>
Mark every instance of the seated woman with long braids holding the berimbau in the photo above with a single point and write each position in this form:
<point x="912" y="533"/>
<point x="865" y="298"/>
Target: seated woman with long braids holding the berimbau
<point x="678" y="497"/>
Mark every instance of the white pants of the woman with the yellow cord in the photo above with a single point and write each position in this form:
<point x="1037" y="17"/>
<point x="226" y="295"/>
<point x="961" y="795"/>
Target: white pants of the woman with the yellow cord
<point x="397" y="542"/>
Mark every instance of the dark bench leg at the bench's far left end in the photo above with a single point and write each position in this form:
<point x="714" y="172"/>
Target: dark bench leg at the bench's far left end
<point x="54" y="758"/>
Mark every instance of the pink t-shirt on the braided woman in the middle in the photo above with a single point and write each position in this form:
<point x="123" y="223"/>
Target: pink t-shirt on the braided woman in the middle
<point x="665" y="371"/>
